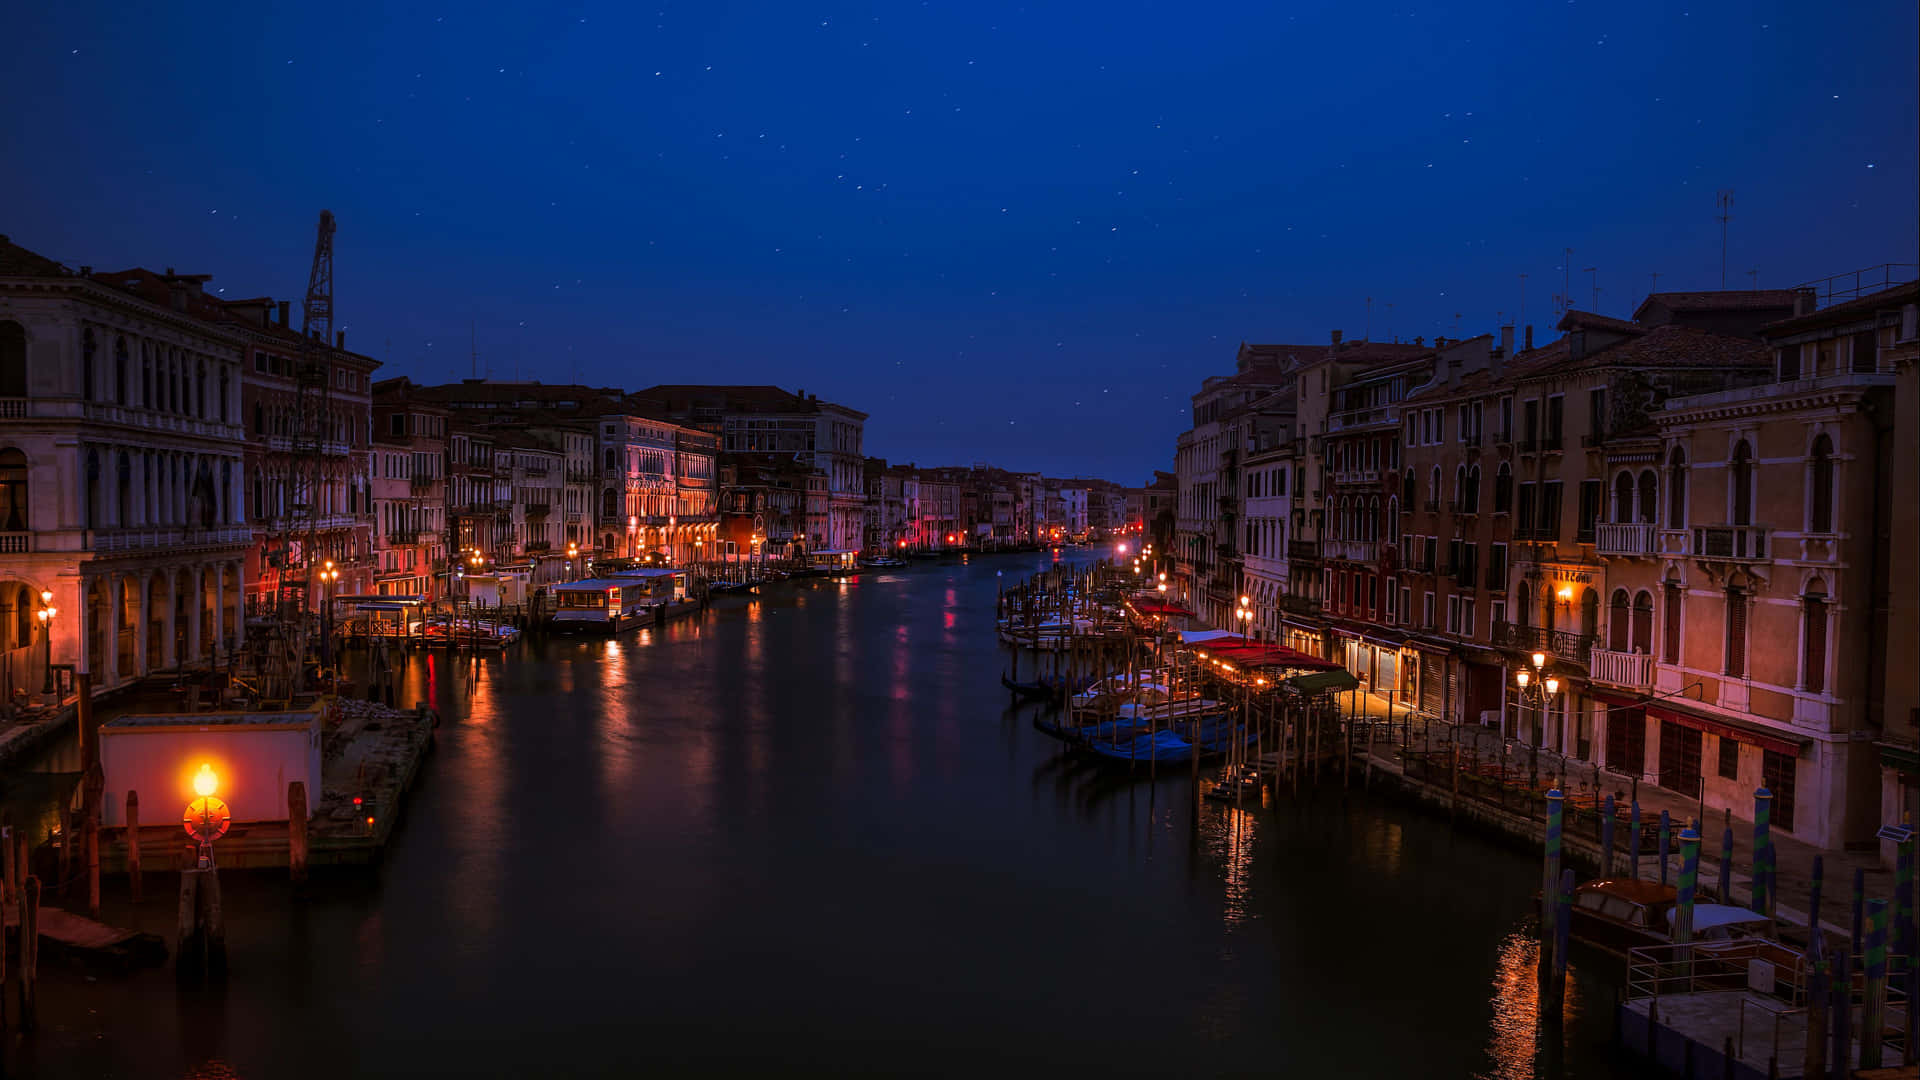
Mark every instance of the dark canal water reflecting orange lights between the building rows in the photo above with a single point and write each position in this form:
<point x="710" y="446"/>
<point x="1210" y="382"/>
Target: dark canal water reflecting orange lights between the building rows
<point x="807" y="833"/>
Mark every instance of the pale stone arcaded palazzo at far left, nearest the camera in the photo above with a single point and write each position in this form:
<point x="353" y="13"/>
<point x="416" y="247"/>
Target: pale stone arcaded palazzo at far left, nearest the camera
<point x="122" y="474"/>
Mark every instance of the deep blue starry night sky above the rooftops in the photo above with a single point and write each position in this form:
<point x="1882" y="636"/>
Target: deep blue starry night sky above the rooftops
<point x="1011" y="233"/>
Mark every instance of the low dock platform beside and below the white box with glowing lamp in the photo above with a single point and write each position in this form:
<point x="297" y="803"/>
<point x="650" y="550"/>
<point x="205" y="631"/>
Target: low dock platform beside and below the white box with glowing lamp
<point x="372" y="756"/>
